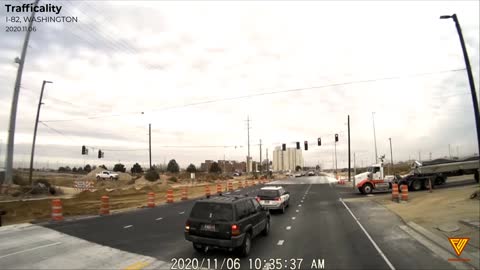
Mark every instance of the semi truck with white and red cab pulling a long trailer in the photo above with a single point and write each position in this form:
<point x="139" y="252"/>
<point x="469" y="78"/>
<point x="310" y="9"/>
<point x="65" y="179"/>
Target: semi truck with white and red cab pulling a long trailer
<point x="421" y="176"/>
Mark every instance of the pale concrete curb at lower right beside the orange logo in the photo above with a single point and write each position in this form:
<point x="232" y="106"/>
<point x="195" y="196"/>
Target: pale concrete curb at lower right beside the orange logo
<point x="437" y="240"/>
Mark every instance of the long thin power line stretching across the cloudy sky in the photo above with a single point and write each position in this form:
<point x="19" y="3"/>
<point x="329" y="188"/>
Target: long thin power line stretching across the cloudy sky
<point x="254" y="95"/>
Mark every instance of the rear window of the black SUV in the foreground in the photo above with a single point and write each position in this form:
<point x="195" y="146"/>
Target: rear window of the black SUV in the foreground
<point x="212" y="211"/>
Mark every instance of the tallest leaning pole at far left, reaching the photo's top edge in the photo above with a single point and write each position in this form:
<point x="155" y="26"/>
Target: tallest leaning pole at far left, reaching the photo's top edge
<point x="16" y="93"/>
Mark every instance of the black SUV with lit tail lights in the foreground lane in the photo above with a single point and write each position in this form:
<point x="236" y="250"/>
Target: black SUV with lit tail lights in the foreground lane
<point x="226" y="222"/>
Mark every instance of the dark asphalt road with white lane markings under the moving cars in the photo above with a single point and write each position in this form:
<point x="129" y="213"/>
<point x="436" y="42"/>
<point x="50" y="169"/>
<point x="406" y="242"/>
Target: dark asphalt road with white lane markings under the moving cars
<point x="317" y="230"/>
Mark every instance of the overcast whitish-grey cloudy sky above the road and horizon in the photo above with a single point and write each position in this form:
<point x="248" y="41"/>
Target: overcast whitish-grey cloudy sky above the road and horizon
<point x="169" y="59"/>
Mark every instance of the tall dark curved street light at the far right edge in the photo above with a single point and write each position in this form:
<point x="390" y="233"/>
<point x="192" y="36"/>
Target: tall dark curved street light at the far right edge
<point x="470" y="75"/>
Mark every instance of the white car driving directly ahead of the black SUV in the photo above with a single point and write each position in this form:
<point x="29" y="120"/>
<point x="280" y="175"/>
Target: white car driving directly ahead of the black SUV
<point x="274" y="198"/>
